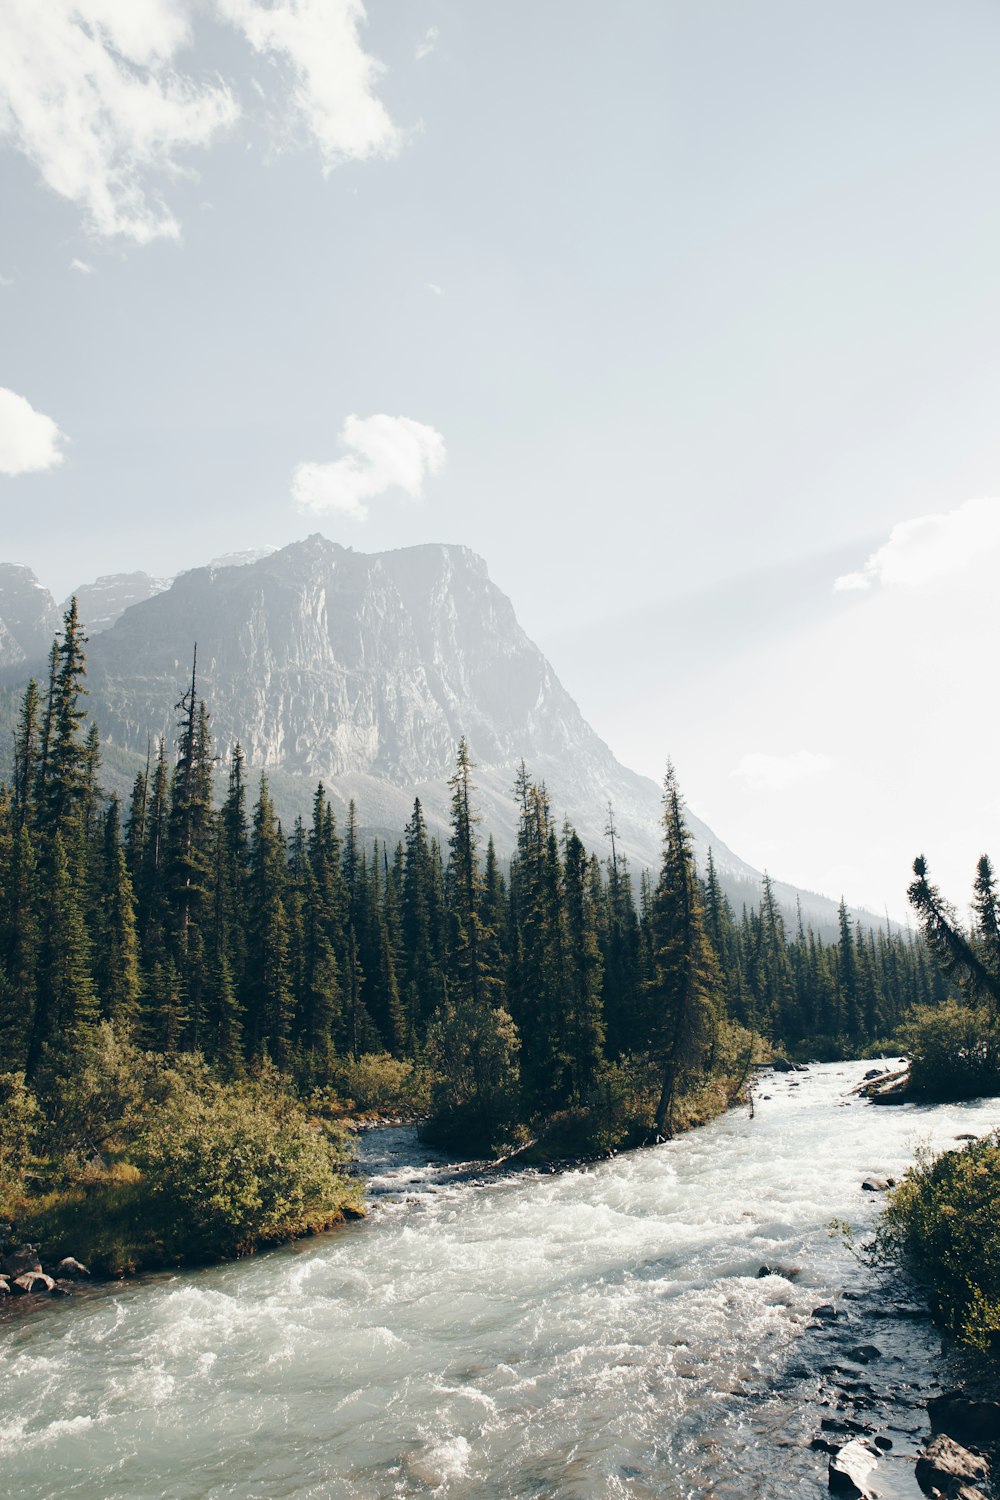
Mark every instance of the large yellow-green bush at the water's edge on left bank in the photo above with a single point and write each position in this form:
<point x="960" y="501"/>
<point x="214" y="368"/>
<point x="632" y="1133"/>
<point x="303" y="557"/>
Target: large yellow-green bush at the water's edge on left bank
<point x="152" y="1163"/>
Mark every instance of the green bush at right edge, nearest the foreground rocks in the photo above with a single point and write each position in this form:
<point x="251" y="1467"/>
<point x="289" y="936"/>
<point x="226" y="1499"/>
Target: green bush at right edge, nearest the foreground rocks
<point x="944" y="1220"/>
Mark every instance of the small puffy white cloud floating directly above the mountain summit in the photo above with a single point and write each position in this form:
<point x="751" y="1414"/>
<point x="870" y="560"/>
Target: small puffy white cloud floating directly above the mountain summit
<point x="386" y="454"/>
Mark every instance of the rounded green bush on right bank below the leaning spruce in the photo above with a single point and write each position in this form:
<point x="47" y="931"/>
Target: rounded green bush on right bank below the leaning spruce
<point x="954" y="1051"/>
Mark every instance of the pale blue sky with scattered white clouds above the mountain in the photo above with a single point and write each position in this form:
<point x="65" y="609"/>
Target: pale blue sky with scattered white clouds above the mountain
<point x="684" y="314"/>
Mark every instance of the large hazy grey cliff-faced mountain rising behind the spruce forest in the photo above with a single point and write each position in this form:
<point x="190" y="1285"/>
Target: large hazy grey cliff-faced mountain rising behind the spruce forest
<point x="365" y="670"/>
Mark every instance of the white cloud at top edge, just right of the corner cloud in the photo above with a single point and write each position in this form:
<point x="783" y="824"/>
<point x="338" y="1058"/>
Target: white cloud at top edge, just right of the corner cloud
<point x="335" y="79"/>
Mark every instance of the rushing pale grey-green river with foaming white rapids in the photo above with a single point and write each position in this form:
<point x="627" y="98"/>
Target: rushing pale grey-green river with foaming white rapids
<point x="599" y="1333"/>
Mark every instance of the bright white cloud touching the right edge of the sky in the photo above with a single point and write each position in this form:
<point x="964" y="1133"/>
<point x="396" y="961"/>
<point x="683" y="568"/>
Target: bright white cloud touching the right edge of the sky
<point x="930" y="547"/>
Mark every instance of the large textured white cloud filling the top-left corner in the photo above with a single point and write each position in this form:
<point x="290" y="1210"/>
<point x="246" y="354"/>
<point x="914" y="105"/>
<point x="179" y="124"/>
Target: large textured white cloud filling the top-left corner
<point x="91" y="97"/>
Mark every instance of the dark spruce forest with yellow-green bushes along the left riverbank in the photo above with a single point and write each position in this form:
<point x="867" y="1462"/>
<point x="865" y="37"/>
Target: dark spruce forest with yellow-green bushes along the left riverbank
<point x="552" y="1003"/>
